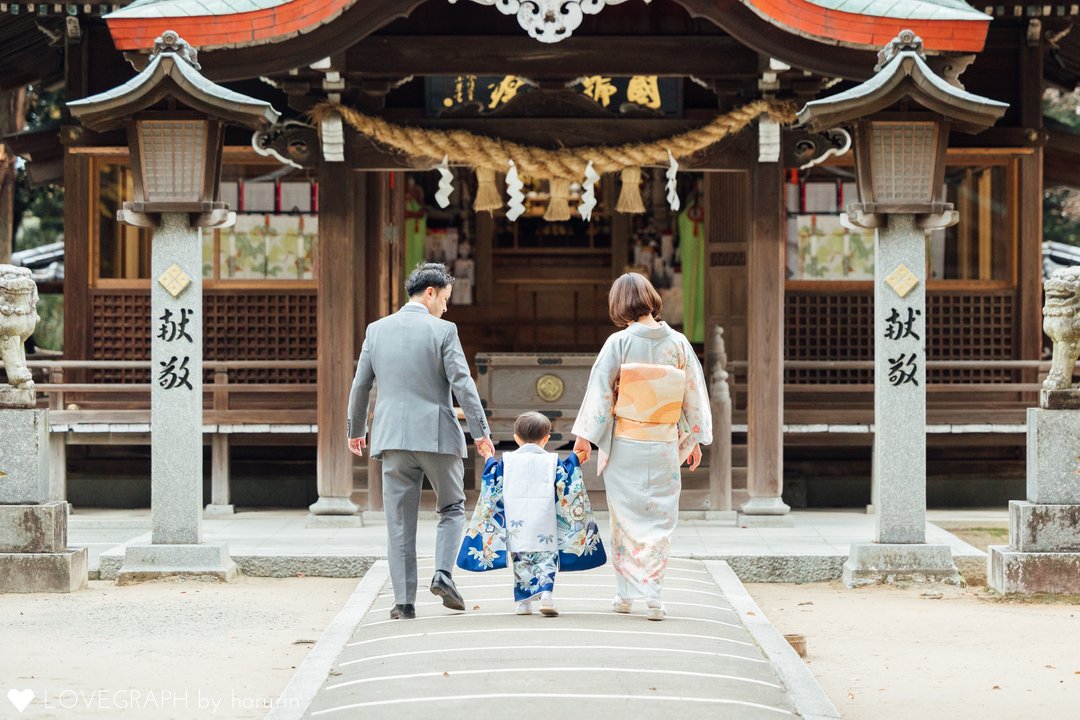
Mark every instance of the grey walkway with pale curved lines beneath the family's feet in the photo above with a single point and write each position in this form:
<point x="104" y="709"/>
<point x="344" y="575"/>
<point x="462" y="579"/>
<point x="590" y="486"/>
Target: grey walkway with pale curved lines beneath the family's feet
<point x="715" y="655"/>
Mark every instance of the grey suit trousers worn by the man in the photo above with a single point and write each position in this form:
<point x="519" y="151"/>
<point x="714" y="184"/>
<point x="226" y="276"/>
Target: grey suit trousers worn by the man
<point x="403" y="472"/>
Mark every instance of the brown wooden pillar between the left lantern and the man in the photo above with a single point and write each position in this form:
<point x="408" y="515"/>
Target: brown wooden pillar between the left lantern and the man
<point x="335" y="348"/>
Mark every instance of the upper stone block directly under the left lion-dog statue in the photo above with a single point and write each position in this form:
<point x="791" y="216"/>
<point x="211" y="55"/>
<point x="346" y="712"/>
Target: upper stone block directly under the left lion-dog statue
<point x="24" y="456"/>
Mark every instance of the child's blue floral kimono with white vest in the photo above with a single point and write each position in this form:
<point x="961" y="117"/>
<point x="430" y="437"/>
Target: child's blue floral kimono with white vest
<point x="575" y="544"/>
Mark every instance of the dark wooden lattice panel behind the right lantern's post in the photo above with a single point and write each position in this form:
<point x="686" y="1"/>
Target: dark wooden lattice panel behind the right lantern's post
<point x="840" y="327"/>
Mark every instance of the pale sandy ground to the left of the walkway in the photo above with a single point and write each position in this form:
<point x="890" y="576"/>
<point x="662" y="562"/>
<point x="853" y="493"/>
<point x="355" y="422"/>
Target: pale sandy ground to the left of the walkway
<point x="171" y="649"/>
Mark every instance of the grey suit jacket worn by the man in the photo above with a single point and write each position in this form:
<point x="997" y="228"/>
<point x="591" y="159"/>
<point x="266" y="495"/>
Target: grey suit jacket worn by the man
<point x="418" y="362"/>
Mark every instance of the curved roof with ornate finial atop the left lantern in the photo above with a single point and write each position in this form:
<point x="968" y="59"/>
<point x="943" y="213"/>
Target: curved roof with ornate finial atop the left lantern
<point x="173" y="72"/>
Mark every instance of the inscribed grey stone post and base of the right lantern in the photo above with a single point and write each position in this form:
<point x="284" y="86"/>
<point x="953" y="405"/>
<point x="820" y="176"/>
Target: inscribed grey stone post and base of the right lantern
<point x="900" y="414"/>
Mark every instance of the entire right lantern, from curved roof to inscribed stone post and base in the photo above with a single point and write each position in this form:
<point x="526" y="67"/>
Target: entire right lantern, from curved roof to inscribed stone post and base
<point x="901" y="119"/>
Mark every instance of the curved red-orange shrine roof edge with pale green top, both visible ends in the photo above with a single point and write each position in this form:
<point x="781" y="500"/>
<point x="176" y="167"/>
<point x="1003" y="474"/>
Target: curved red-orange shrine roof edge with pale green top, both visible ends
<point x="944" y="25"/>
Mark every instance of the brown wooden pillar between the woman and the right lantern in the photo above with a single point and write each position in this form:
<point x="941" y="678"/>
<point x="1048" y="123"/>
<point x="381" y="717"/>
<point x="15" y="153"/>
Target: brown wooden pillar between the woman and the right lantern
<point x="765" y="419"/>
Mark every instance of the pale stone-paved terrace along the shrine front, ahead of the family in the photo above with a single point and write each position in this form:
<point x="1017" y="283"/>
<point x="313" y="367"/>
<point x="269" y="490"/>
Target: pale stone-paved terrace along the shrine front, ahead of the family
<point x="280" y="542"/>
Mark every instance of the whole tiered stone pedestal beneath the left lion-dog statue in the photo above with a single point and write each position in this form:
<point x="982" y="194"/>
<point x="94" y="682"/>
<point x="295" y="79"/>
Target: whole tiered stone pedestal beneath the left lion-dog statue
<point x="34" y="552"/>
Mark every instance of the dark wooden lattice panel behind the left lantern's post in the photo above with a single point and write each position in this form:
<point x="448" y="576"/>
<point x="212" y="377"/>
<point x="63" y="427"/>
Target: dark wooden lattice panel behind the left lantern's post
<point x="238" y="325"/>
